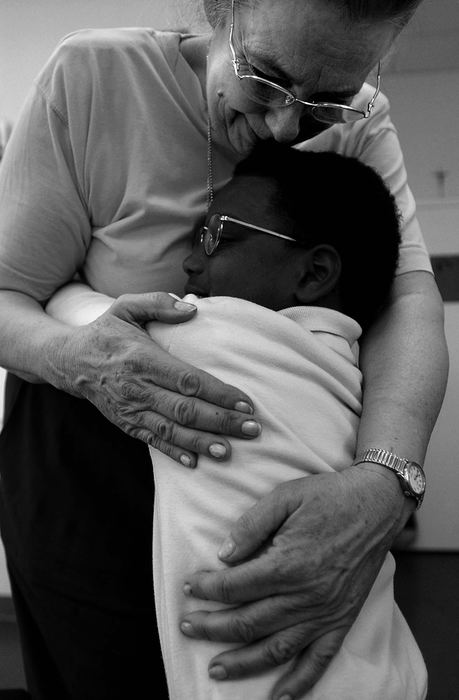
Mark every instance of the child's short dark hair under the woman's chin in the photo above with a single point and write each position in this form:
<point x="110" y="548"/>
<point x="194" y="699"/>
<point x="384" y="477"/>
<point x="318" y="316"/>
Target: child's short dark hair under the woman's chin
<point x="337" y="200"/>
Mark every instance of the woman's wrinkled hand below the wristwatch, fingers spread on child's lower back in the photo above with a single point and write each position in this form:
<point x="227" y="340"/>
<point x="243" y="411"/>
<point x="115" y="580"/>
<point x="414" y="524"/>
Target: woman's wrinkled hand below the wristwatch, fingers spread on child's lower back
<point x="324" y="540"/>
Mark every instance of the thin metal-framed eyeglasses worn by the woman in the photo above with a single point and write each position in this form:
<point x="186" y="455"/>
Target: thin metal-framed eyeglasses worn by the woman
<point x="270" y="94"/>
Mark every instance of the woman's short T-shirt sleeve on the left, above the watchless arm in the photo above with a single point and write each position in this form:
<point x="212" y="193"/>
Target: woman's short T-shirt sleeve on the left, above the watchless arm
<point x="44" y="225"/>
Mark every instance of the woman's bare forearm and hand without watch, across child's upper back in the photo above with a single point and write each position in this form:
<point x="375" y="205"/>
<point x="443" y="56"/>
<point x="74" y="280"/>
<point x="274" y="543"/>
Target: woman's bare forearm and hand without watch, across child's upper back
<point x="113" y="363"/>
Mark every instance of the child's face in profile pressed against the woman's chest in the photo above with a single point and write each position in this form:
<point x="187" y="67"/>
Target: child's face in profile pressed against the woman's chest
<point x="246" y="264"/>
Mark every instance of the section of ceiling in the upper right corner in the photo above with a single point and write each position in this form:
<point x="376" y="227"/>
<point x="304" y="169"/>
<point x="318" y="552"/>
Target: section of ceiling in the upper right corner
<point x="431" y="40"/>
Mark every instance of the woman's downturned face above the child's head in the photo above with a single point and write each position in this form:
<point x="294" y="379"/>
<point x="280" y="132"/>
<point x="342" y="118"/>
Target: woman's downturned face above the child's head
<point x="304" y="45"/>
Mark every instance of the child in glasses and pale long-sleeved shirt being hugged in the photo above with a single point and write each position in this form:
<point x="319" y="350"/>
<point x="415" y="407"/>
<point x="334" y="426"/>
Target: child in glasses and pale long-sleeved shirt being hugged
<point x="296" y="251"/>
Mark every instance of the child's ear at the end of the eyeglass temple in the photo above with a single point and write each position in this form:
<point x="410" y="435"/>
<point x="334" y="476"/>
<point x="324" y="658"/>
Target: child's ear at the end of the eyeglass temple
<point x="321" y="273"/>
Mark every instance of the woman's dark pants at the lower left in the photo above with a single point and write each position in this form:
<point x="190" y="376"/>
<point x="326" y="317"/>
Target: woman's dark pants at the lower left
<point x="76" y="501"/>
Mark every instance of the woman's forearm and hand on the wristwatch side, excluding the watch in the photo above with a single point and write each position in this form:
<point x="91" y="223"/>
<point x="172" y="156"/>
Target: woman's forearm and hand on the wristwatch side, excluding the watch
<point x="327" y="536"/>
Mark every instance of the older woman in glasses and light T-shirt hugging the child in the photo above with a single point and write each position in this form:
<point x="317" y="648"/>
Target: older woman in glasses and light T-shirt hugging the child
<point x="124" y="138"/>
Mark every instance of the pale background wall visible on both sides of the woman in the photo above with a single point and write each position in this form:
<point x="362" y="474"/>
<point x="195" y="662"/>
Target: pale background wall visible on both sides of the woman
<point x="422" y="82"/>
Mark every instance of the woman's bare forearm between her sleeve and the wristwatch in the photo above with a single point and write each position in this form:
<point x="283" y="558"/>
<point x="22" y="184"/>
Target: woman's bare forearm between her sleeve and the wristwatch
<point x="404" y="361"/>
